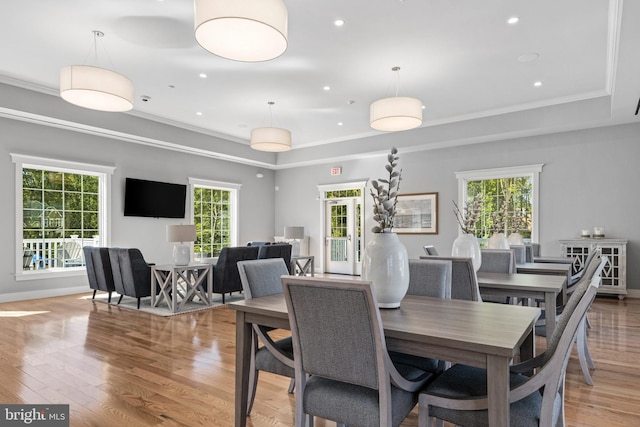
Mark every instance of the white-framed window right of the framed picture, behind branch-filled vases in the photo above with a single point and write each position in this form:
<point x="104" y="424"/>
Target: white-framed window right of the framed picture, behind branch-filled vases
<point x="523" y="184"/>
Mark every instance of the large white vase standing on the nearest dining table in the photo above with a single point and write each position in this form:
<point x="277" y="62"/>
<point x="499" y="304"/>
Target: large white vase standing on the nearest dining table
<point x="386" y="264"/>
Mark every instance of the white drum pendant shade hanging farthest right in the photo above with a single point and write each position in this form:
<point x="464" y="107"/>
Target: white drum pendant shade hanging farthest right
<point x="396" y="113"/>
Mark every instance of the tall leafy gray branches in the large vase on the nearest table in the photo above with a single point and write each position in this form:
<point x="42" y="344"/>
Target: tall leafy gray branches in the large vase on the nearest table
<point x="386" y="198"/>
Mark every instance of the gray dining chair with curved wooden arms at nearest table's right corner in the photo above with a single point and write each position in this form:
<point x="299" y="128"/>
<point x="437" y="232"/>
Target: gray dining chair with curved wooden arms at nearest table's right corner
<point x="459" y="395"/>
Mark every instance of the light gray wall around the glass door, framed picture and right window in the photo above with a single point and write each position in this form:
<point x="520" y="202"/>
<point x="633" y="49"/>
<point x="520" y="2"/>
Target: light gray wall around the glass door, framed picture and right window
<point x="588" y="179"/>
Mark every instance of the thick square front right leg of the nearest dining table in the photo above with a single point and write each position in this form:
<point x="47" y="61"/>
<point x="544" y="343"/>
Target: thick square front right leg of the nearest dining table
<point x="498" y="390"/>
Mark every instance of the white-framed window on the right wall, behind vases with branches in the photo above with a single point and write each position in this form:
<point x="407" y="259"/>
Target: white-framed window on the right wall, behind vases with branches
<point x="508" y="192"/>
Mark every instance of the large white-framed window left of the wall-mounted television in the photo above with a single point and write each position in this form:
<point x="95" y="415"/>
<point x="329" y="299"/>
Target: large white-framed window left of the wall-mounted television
<point x="61" y="206"/>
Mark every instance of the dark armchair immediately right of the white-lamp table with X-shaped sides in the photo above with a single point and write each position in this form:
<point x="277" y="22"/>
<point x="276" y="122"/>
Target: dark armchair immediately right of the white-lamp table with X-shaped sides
<point x="226" y="278"/>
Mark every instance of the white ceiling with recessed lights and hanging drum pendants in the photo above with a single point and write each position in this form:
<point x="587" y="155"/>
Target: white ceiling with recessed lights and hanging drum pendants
<point x="459" y="57"/>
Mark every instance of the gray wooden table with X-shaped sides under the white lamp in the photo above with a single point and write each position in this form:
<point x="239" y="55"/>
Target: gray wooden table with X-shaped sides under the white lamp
<point x="180" y="284"/>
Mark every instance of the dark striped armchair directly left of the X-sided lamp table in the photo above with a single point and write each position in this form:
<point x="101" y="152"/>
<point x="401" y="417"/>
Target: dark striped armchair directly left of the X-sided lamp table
<point x="131" y="273"/>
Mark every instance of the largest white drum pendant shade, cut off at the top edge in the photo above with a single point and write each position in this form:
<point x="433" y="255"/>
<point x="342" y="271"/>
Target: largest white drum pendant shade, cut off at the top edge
<point x="242" y="30"/>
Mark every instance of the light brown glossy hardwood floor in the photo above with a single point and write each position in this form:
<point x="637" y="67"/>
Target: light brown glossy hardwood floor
<point x="118" y="367"/>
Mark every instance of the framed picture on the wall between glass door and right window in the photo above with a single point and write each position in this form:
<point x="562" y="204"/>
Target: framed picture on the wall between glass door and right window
<point x="417" y="214"/>
